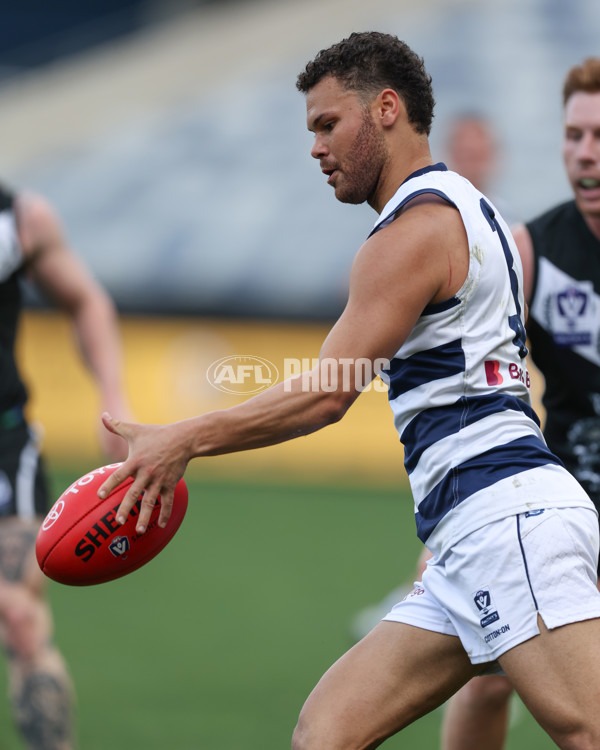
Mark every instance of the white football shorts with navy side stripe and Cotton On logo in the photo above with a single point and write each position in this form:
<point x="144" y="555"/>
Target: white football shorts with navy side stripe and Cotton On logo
<point x="491" y="587"/>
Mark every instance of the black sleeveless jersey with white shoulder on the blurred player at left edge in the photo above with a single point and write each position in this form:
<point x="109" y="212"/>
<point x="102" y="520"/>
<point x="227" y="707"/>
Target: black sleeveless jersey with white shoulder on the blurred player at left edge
<point x="12" y="391"/>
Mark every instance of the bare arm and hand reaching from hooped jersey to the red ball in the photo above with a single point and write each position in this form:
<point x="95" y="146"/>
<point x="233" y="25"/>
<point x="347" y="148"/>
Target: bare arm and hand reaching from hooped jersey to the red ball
<point x="420" y="258"/>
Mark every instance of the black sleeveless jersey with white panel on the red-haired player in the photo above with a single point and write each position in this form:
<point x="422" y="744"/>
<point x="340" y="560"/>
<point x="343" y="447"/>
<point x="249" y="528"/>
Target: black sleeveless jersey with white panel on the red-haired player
<point x="564" y="330"/>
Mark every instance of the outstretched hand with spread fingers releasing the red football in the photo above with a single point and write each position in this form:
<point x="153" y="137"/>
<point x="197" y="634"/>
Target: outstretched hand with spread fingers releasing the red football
<point x="156" y="462"/>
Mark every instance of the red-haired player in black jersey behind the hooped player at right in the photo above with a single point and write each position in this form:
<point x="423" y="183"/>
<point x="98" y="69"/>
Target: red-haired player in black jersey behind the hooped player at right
<point x="560" y="251"/>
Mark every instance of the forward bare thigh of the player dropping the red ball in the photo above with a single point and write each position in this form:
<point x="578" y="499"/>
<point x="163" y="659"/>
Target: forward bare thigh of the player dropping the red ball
<point x="395" y="674"/>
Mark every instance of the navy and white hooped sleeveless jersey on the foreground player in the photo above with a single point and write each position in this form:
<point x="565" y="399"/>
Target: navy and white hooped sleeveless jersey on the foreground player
<point x="459" y="386"/>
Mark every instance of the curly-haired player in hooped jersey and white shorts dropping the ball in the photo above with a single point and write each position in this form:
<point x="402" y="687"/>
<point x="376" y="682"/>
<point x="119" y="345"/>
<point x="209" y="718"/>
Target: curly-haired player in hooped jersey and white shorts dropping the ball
<point x="436" y="300"/>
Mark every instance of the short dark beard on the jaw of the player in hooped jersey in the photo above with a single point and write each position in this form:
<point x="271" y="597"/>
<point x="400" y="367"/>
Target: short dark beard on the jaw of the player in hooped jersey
<point x="363" y="166"/>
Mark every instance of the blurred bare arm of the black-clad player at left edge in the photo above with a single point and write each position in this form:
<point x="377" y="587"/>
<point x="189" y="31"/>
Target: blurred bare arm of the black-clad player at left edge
<point x="60" y="273"/>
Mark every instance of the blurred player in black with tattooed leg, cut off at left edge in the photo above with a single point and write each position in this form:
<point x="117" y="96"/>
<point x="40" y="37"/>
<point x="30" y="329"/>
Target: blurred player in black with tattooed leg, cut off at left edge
<point x="33" y="245"/>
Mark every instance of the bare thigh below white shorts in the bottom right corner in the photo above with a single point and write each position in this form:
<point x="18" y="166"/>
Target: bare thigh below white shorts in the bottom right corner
<point x="557" y="674"/>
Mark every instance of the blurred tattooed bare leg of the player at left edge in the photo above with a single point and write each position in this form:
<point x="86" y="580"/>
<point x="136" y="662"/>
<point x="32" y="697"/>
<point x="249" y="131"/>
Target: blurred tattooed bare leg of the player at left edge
<point x="40" y="688"/>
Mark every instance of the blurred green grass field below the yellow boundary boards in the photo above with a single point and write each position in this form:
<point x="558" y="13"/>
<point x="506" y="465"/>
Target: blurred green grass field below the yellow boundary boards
<point x="215" y="644"/>
